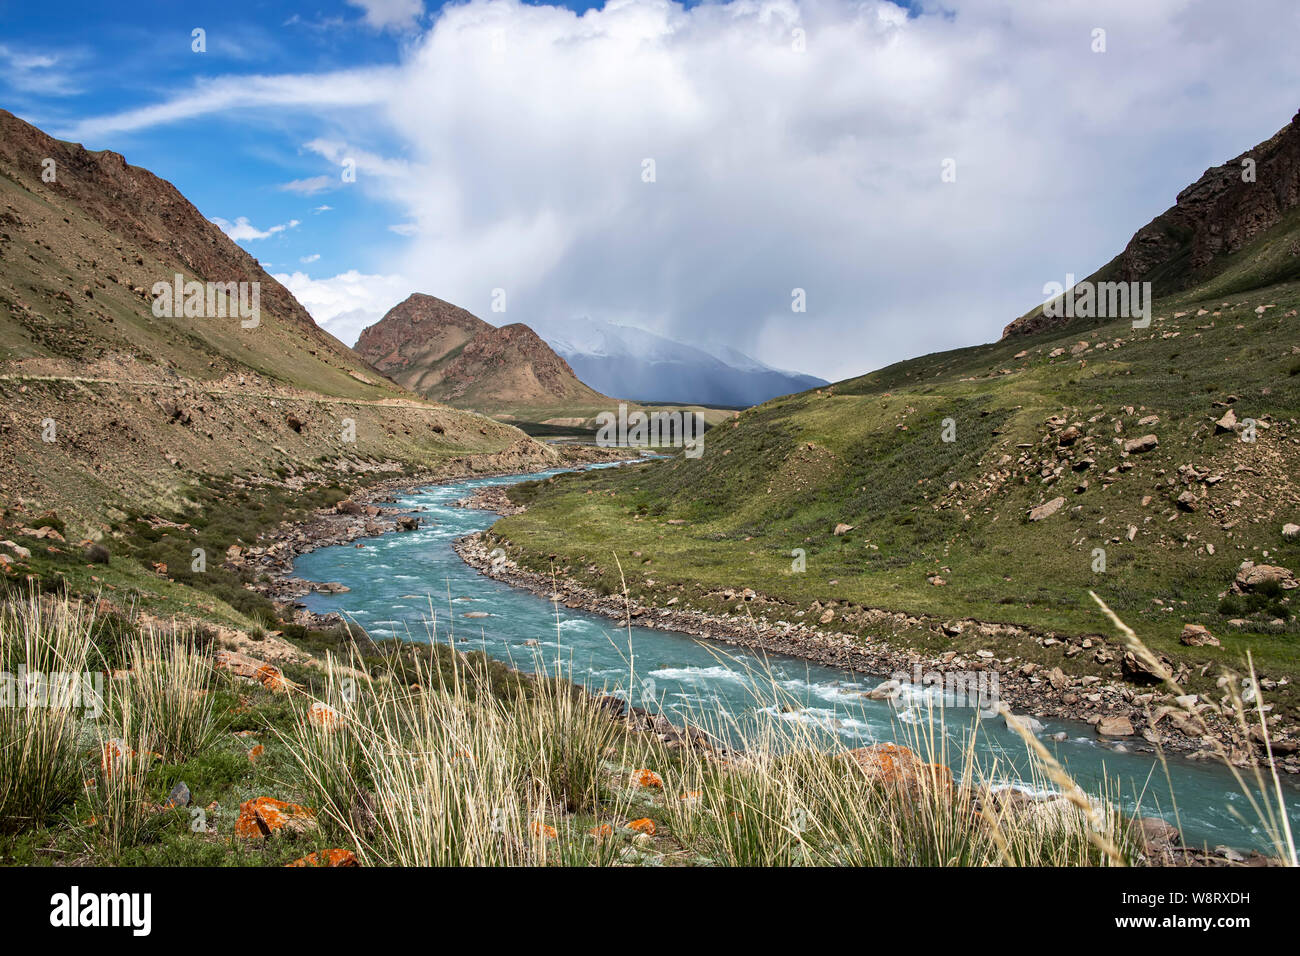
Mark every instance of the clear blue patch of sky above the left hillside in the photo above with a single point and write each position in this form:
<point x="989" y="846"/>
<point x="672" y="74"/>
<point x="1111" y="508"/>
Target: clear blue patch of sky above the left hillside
<point x="114" y="58"/>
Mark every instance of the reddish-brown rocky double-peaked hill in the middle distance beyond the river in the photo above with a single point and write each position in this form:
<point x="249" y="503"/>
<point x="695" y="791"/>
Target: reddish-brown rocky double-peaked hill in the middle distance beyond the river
<point x="448" y="354"/>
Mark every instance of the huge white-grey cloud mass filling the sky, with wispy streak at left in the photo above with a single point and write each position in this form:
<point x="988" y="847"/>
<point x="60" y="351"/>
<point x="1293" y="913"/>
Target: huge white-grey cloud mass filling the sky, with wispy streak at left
<point x="513" y="137"/>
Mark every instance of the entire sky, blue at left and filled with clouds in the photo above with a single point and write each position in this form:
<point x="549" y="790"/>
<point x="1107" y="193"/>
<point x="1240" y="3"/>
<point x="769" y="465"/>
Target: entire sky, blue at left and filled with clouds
<point x="796" y="145"/>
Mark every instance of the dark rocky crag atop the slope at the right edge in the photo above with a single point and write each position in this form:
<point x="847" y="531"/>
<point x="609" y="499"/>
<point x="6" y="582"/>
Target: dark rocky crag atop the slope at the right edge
<point x="1236" y="230"/>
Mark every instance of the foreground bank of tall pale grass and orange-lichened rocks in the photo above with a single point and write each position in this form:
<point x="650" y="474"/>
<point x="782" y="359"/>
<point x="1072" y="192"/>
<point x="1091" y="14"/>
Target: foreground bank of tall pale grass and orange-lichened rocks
<point x="421" y="755"/>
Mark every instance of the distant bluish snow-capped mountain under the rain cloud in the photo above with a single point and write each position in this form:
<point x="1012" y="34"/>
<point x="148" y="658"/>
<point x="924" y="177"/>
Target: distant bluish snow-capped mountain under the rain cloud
<point x="632" y="364"/>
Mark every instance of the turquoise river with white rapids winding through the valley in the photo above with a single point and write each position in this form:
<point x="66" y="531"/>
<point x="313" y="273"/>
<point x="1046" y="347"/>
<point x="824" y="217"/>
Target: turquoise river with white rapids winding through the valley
<point x="398" y="578"/>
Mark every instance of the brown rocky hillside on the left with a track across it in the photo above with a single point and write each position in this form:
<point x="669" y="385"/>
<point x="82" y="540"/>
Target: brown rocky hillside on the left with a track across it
<point x="107" y="406"/>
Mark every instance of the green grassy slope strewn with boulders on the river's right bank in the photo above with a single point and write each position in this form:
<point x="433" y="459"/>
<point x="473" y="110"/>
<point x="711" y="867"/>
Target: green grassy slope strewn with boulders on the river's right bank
<point x="996" y="486"/>
